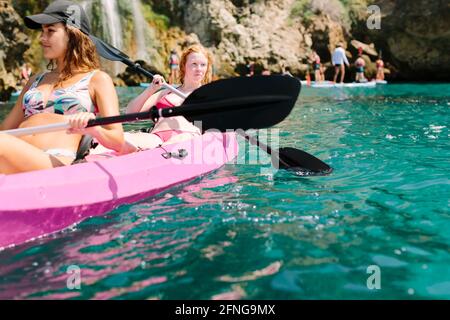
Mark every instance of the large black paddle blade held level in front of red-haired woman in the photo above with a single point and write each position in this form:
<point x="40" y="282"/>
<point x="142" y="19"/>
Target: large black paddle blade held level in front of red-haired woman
<point x="242" y="103"/>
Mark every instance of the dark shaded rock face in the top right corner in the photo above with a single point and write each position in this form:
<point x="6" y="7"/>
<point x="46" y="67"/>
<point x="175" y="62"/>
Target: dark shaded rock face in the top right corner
<point x="416" y="35"/>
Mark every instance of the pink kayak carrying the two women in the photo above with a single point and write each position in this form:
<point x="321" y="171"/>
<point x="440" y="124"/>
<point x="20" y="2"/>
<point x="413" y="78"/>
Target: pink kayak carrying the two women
<point x="38" y="203"/>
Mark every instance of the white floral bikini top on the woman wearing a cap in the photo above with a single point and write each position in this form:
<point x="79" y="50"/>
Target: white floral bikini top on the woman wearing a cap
<point x="64" y="101"/>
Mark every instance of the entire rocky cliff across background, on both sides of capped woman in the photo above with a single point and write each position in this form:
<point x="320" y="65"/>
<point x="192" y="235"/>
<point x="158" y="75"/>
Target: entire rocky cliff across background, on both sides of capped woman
<point x="414" y="35"/>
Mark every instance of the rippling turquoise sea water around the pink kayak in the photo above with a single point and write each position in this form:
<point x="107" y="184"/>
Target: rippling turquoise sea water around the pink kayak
<point x="248" y="233"/>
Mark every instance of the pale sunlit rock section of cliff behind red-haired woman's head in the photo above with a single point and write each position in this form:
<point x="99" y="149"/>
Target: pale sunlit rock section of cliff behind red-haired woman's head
<point x="262" y="32"/>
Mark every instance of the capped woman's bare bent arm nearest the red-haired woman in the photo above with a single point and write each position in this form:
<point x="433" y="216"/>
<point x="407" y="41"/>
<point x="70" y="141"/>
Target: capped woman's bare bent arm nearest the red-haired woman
<point x="105" y="97"/>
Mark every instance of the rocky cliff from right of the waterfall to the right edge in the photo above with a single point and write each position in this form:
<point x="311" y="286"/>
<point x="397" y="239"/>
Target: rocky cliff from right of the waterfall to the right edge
<point x="413" y="36"/>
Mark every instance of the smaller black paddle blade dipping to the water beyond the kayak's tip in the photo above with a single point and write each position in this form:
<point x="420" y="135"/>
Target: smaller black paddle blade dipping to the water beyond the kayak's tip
<point x="301" y="162"/>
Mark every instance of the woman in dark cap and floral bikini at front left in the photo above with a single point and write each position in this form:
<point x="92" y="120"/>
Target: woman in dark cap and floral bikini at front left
<point x="73" y="90"/>
